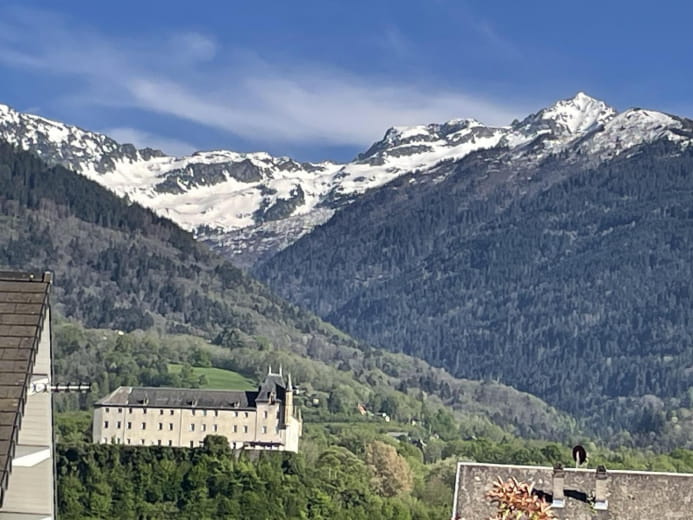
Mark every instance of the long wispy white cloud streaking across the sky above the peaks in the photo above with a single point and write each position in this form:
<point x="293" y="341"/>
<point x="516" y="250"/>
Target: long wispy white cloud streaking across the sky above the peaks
<point x="187" y="77"/>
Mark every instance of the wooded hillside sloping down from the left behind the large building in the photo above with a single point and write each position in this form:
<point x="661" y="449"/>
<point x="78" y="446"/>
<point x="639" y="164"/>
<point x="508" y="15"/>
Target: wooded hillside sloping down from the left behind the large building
<point x="118" y="266"/>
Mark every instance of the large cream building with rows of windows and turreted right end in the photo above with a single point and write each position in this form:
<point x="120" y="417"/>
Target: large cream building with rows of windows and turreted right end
<point x="263" y="420"/>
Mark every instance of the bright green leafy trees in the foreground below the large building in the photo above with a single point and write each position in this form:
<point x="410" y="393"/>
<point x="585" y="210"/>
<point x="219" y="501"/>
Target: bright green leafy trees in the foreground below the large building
<point x="342" y="474"/>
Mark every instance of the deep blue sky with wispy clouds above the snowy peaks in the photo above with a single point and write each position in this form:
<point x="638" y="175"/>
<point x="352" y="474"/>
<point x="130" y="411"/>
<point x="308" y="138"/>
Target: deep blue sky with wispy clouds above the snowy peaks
<point x="323" y="79"/>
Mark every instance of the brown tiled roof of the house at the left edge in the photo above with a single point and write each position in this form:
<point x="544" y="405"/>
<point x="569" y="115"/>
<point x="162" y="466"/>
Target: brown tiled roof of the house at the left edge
<point x="23" y="304"/>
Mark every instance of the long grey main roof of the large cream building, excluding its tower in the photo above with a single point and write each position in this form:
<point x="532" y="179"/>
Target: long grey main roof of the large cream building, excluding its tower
<point x="179" y="398"/>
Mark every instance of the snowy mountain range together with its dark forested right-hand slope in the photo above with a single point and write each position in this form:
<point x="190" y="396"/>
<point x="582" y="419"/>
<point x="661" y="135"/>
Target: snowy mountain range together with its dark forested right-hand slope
<point x="553" y="254"/>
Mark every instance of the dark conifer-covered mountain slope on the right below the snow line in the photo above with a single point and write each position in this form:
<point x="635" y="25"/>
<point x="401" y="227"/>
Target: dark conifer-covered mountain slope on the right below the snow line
<point x="575" y="284"/>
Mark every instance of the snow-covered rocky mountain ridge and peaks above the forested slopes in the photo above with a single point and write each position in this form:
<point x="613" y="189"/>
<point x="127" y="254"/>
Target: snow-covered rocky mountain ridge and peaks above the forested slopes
<point x="251" y="205"/>
